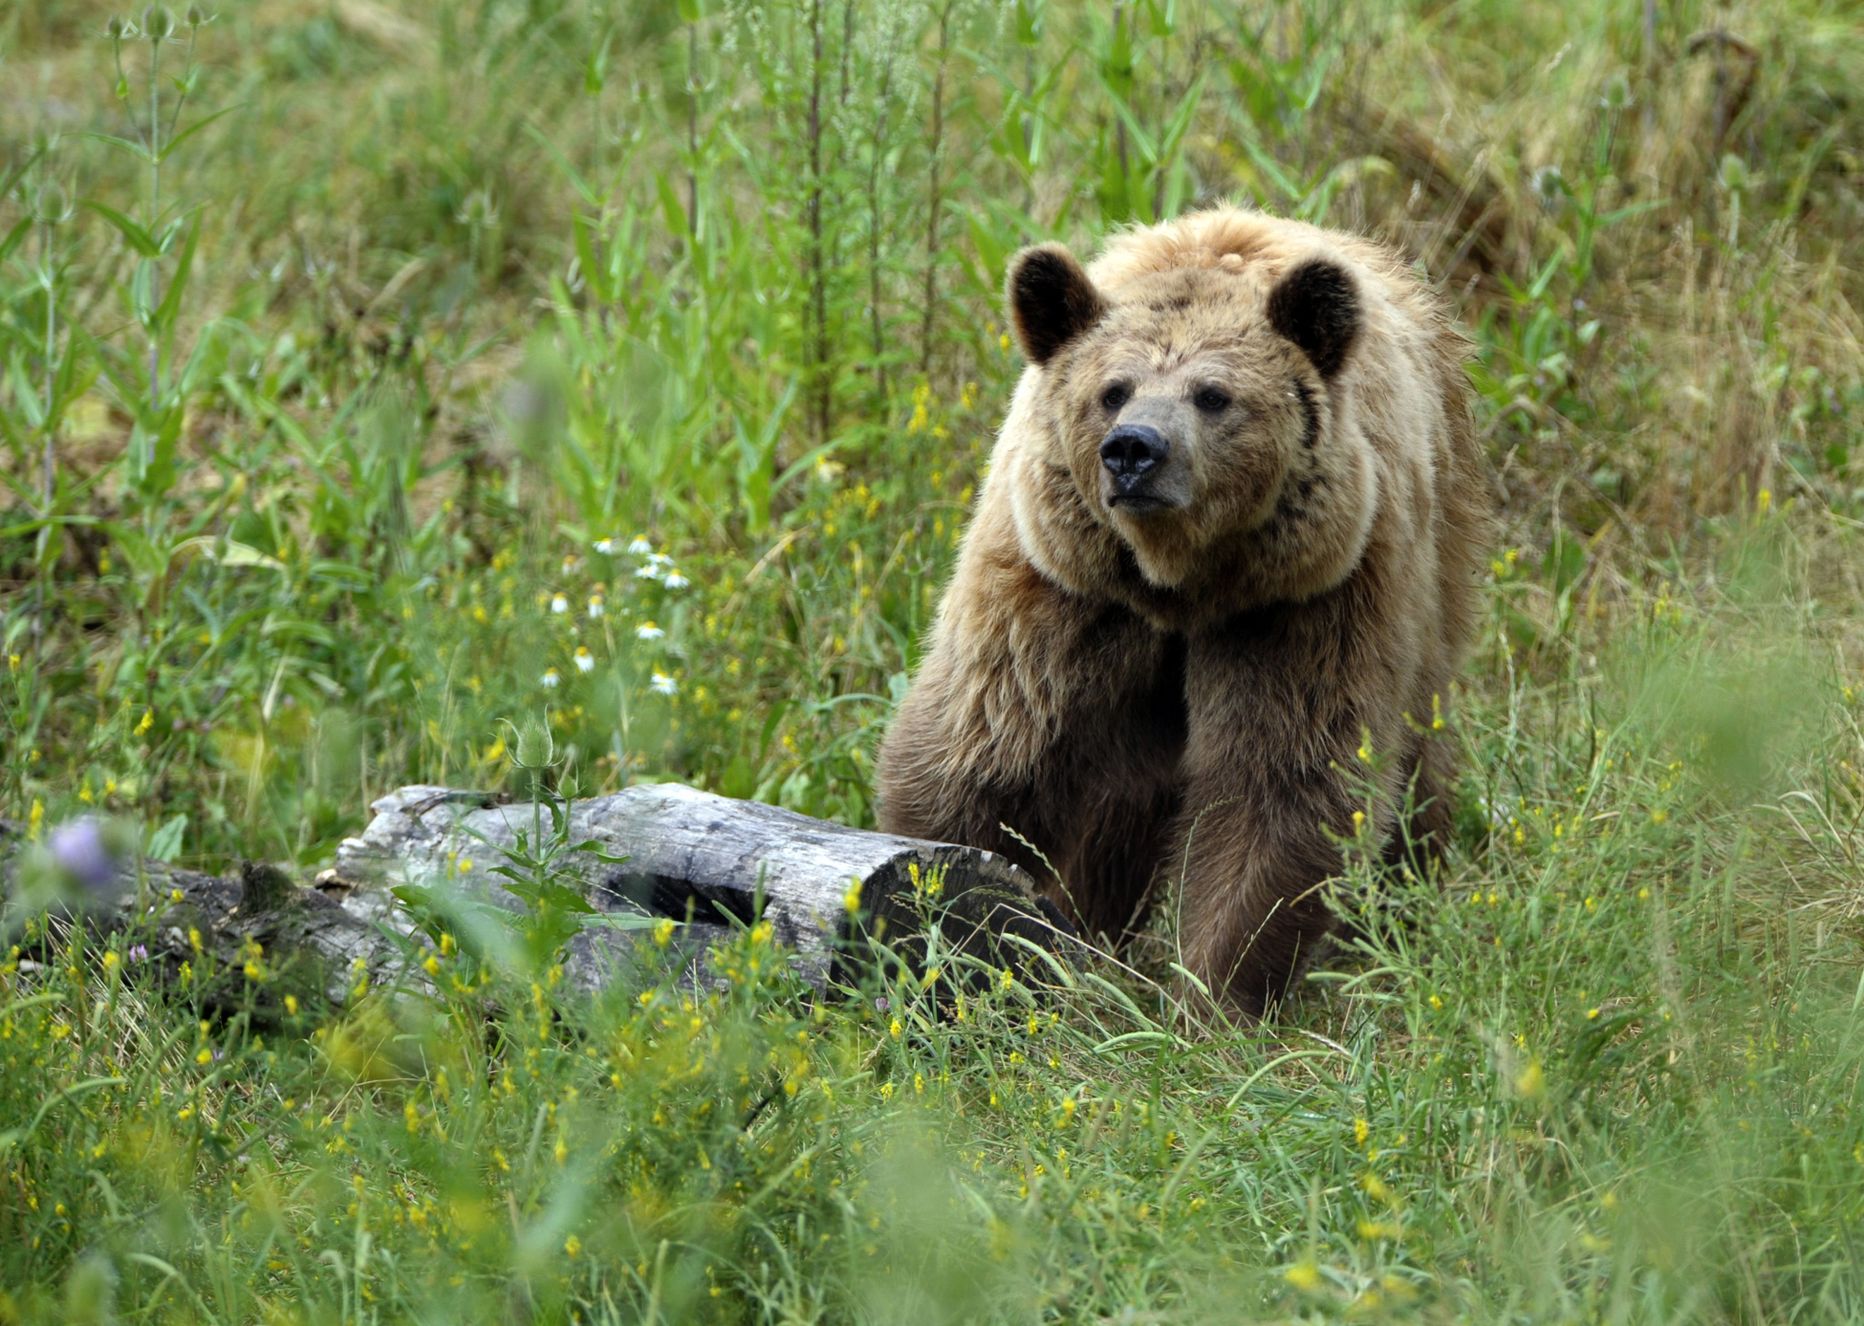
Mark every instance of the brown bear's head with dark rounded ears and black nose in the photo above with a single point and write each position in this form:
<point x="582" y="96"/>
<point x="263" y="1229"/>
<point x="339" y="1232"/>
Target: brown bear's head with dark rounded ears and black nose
<point x="1196" y="417"/>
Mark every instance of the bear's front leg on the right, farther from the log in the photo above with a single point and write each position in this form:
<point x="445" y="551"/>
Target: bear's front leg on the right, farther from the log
<point x="1278" y="710"/>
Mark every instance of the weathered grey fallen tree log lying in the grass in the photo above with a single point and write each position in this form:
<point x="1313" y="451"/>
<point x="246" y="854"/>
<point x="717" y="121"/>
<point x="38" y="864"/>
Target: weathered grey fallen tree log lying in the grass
<point x="655" y="851"/>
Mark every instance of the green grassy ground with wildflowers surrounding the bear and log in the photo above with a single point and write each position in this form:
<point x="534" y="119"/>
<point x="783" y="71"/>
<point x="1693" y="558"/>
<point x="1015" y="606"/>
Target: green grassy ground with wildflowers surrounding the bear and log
<point x="629" y="370"/>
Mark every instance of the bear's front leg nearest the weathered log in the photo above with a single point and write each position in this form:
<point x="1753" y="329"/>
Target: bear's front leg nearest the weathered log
<point x="1058" y="719"/>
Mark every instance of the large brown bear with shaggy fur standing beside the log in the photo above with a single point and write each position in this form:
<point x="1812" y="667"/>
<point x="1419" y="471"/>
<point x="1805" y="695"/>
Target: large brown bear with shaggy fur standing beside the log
<point x="1213" y="592"/>
